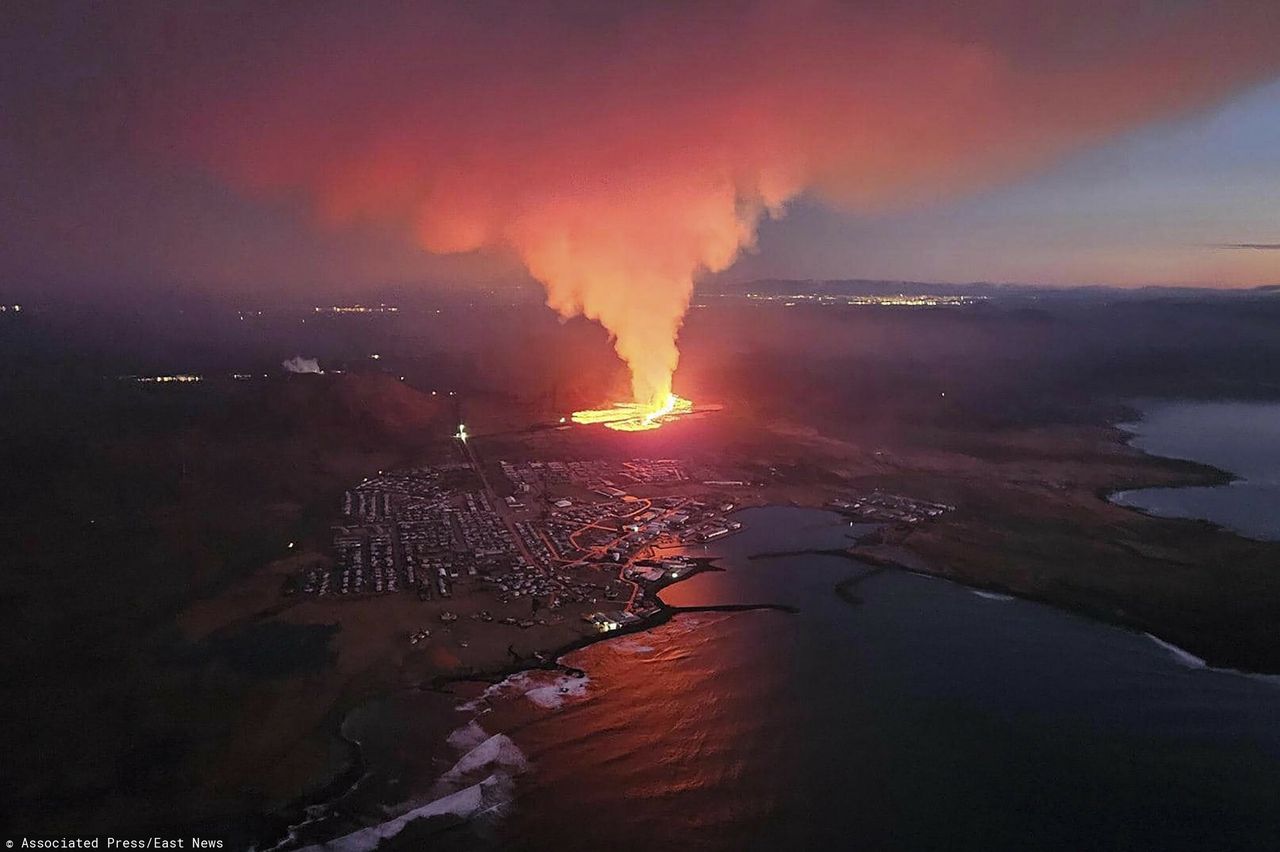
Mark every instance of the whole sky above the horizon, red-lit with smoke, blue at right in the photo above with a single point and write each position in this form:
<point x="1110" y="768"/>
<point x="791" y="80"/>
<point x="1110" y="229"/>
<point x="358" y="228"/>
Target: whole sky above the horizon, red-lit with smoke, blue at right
<point x="252" y="148"/>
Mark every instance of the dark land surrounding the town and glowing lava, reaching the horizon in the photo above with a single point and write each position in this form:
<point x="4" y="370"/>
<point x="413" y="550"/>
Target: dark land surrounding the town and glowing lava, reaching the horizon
<point x="126" y="505"/>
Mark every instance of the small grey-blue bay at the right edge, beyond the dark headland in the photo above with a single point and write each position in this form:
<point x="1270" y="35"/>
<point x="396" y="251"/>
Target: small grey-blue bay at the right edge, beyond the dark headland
<point x="1241" y="438"/>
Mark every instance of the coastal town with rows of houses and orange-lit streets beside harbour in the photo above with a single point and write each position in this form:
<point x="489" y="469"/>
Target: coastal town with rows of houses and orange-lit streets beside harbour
<point x="523" y="544"/>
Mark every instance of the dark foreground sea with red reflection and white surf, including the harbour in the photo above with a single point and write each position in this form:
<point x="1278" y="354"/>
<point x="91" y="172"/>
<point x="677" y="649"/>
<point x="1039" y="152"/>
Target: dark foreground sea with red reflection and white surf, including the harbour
<point x="907" y="713"/>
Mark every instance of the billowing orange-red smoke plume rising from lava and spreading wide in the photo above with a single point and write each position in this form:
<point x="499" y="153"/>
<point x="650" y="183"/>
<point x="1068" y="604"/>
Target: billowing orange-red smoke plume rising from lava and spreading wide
<point x="624" y="152"/>
